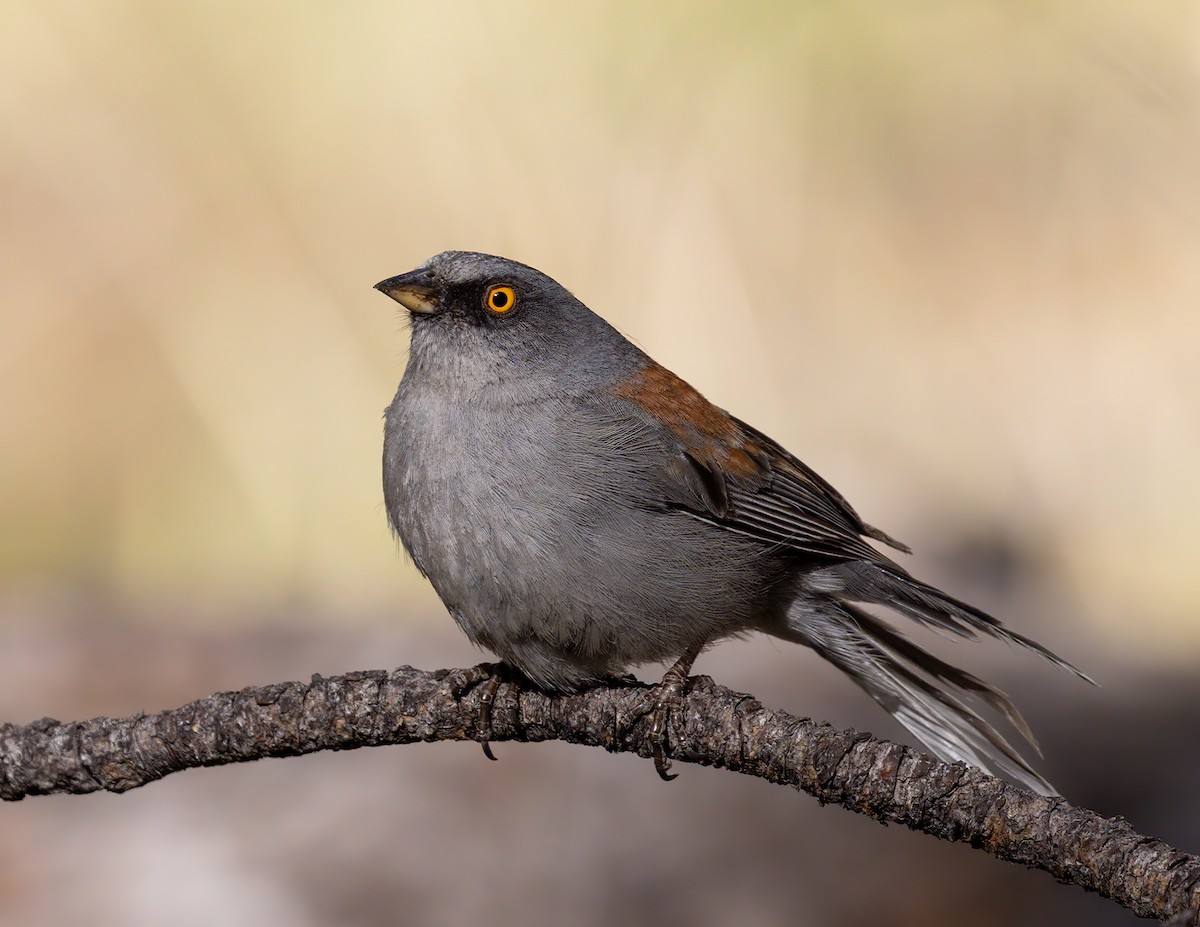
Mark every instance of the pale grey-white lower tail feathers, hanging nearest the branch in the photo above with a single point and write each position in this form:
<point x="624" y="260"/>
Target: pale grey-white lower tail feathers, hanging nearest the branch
<point x="926" y="695"/>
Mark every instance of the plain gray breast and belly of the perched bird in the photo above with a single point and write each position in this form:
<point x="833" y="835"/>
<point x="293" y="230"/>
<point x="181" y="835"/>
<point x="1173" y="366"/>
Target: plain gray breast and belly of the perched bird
<point x="544" y="536"/>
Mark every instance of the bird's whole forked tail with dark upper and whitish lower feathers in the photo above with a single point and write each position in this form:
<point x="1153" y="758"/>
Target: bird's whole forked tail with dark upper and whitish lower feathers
<point x="935" y="701"/>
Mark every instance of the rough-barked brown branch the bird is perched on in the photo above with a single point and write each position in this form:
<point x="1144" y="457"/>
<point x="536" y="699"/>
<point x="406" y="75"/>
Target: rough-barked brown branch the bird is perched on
<point x="715" y="728"/>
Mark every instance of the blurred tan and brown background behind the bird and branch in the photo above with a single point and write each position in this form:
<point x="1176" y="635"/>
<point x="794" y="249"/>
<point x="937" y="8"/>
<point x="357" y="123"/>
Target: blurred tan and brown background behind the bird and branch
<point x="947" y="254"/>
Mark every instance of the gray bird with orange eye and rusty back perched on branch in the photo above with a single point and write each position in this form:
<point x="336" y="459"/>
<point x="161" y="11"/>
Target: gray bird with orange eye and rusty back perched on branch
<point x="581" y="510"/>
